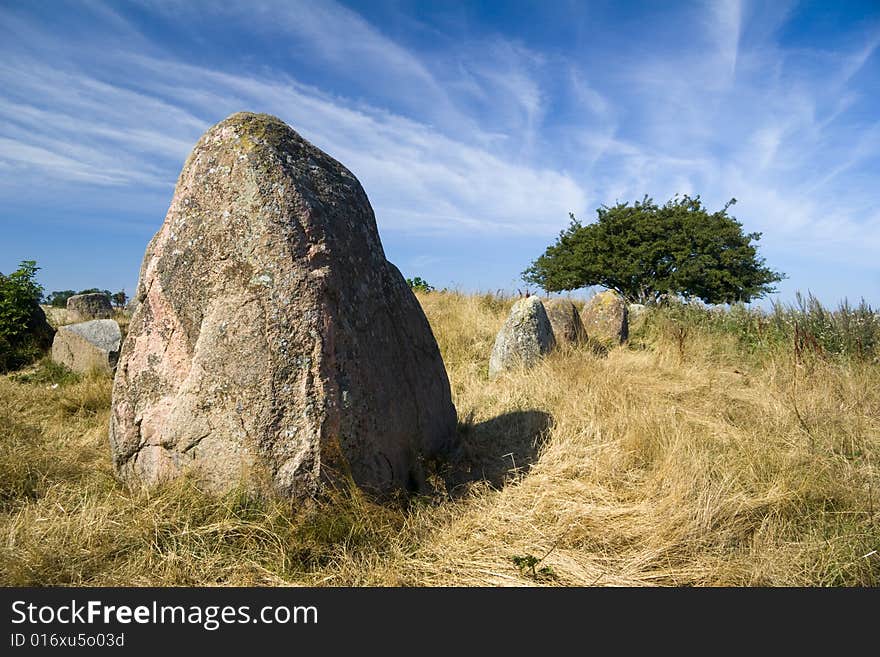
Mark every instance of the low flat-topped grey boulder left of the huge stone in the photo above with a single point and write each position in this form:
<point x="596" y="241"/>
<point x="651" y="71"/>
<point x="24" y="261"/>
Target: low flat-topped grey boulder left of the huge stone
<point x="88" y="345"/>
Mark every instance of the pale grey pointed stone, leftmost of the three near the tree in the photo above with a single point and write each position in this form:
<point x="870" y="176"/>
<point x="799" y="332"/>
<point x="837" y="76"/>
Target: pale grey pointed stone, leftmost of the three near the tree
<point x="524" y="338"/>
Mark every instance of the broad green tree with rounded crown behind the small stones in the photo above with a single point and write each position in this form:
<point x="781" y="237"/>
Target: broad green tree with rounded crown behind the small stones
<point x="644" y="251"/>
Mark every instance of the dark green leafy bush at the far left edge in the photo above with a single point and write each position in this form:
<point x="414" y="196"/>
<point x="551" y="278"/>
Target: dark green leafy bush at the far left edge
<point x="20" y="296"/>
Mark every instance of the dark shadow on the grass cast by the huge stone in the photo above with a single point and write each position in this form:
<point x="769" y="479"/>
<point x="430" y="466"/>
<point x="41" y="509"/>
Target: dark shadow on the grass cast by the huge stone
<point x="494" y="451"/>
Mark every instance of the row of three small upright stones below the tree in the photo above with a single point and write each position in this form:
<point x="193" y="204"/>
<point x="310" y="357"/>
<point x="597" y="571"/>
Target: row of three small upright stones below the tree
<point x="534" y="328"/>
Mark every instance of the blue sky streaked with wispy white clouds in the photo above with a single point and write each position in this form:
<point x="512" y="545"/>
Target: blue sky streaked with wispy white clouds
<point x="475" y="128"/>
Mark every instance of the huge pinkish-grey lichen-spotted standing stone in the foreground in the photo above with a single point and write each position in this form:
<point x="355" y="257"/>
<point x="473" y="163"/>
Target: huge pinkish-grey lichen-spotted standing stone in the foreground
<point x="272" y="341"/>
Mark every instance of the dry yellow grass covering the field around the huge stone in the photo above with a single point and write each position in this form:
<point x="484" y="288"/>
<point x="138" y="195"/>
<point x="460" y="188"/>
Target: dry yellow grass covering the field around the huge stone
<point x="673" y="464"/>
